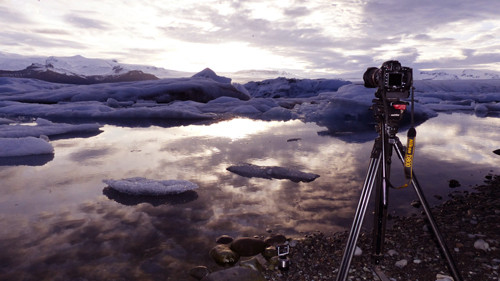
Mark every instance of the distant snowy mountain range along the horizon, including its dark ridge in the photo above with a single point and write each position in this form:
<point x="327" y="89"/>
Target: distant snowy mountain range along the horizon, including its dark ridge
<point x="82" y="70"/>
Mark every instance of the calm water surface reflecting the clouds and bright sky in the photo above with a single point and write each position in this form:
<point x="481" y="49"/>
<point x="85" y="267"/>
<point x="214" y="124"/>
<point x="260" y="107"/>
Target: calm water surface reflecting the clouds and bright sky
<point x="59" y="221"/>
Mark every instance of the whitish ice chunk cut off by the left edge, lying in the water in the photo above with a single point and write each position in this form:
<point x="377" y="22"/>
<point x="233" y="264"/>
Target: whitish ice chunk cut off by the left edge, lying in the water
<point x="10" y="147"/>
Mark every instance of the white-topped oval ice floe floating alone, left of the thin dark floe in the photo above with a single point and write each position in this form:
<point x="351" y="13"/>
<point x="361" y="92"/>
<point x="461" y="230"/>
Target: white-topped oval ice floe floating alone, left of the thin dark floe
<point x="148" y="187"/>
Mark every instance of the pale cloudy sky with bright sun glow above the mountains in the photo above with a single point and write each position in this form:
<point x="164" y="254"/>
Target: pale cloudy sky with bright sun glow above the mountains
<point x="333" y="36"/>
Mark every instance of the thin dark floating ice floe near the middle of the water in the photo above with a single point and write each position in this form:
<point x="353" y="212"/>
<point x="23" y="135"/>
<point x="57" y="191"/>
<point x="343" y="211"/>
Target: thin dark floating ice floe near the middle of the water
<point x="270" y="172"/>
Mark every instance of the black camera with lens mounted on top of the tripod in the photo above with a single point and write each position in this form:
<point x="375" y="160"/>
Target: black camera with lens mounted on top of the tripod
<point x="392" y="80"/>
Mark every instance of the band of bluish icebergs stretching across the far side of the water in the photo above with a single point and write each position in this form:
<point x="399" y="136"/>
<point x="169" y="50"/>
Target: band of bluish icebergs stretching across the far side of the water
<point x="340" y="106"/>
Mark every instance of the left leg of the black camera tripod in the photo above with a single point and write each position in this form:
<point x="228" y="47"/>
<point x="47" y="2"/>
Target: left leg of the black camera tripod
<point x="358" y="218"/>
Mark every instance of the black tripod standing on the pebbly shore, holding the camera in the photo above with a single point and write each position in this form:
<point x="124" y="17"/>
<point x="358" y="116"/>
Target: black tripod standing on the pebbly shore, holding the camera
<point x="387" y="117"/>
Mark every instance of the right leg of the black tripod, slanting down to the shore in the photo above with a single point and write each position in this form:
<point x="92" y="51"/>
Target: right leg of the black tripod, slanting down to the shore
<point x="451" y="263"/>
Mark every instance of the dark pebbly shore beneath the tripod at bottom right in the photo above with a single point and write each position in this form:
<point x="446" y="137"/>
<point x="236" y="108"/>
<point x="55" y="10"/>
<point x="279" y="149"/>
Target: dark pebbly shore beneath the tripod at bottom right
<point x="469" y="223"/>
